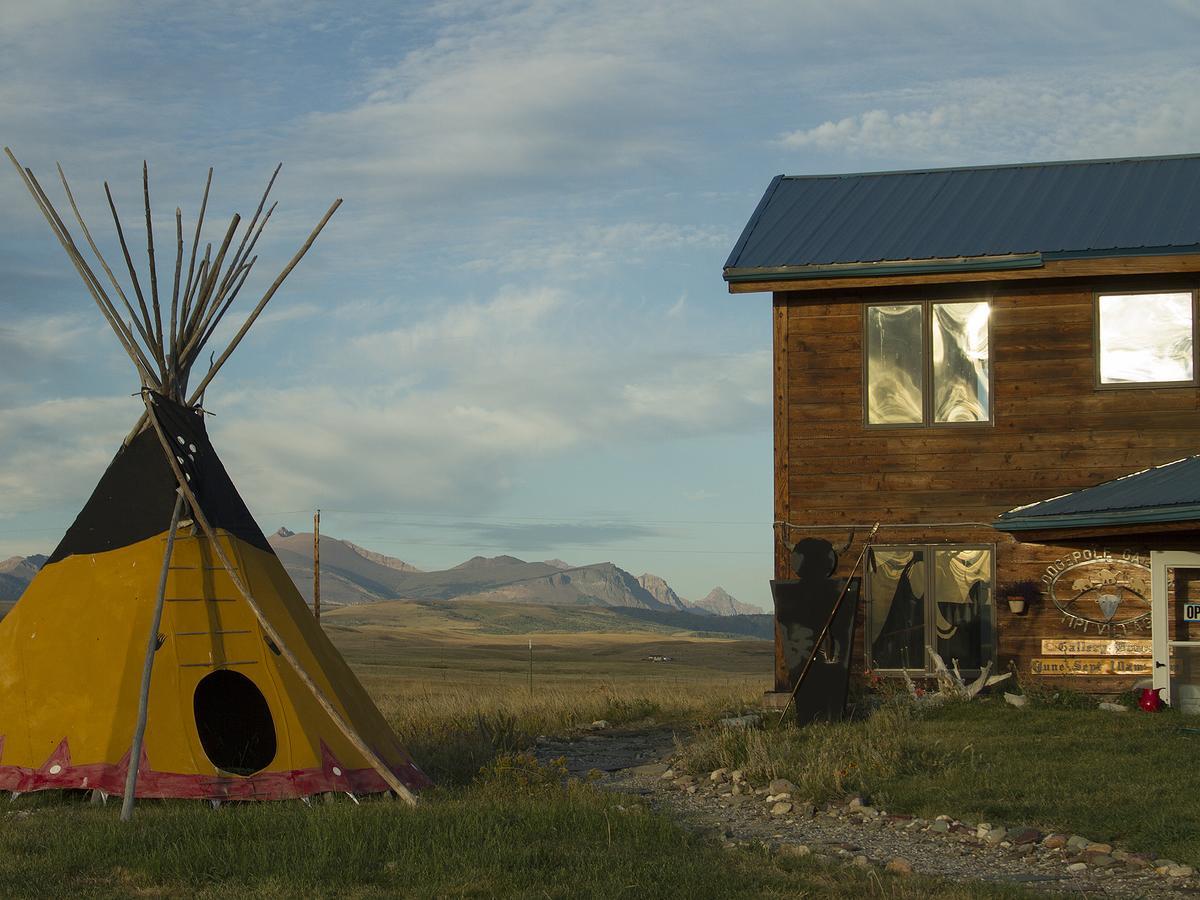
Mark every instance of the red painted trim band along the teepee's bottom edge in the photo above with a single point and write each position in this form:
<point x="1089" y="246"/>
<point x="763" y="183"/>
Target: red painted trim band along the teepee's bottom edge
<point x="263" y="787"/>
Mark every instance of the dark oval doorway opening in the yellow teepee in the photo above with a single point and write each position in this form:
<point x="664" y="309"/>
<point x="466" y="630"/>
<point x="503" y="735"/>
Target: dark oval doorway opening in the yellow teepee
<point x="235" y="723"/>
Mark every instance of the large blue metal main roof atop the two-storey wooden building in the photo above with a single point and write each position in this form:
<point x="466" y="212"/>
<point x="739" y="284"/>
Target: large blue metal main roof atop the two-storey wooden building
<point x="987" y="218"/>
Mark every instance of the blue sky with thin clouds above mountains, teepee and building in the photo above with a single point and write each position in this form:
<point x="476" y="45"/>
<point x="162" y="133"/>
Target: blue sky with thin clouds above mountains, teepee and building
<point x="514" y="337"/>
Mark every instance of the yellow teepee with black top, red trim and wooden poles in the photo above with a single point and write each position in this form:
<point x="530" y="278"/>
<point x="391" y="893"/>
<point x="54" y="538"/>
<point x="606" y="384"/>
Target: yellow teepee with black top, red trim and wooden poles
<point x="163" y="651"/>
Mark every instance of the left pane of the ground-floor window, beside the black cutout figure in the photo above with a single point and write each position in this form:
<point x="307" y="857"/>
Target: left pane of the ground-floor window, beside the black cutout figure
<point x="897" y="585"/>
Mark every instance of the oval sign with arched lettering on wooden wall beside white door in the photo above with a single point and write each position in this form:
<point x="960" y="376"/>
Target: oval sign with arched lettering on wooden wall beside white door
<point x="1102" y="590"/>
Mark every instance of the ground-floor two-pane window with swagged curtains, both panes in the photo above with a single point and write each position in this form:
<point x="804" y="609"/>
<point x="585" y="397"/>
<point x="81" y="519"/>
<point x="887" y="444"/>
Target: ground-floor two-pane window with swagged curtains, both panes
<point x="938" y="597"/>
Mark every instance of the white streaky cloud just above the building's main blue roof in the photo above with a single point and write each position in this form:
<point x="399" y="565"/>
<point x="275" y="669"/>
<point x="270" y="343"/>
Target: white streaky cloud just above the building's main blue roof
<point x="1079" y="113"/>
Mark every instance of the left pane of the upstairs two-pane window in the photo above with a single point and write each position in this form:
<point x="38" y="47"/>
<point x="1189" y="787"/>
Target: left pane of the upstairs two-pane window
<point x="895" y="365"/>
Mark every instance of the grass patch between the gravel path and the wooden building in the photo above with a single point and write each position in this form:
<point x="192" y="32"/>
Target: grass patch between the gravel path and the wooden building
<point x="1109" y="777"/>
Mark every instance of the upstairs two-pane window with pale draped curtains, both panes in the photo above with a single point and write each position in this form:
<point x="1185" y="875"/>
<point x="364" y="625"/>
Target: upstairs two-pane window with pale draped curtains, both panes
<point x="928" y="363"/>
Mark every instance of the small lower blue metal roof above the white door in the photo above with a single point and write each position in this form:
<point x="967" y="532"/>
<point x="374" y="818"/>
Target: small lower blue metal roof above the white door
<point x="1165" y="494"/>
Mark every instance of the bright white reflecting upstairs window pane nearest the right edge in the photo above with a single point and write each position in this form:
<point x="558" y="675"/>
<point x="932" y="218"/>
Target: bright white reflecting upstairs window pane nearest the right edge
<point x="1145" y="338"/>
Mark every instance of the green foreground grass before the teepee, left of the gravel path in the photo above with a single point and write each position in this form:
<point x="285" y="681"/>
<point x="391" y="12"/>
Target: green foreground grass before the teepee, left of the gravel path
<point x="517" y="832"/>
